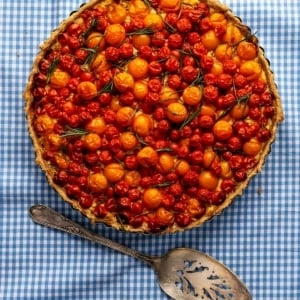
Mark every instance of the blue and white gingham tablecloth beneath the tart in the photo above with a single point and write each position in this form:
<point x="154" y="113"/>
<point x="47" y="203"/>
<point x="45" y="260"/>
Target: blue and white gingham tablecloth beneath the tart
<point x="257" y="237"/>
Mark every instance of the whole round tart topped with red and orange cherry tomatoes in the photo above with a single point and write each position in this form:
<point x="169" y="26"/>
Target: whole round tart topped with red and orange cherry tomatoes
<point x="151" y="116"/>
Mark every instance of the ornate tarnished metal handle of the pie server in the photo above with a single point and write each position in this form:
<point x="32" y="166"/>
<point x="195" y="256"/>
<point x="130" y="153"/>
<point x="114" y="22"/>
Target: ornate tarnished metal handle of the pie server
<point x="46" y="216"/>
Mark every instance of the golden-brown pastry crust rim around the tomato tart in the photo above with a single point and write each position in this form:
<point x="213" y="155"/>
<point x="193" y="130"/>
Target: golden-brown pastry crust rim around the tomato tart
<point x="111" y="218"/>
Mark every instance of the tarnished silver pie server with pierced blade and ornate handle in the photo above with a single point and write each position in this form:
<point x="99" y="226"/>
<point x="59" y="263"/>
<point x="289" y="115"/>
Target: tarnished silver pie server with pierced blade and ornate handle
<point x="182" y="273"/>
